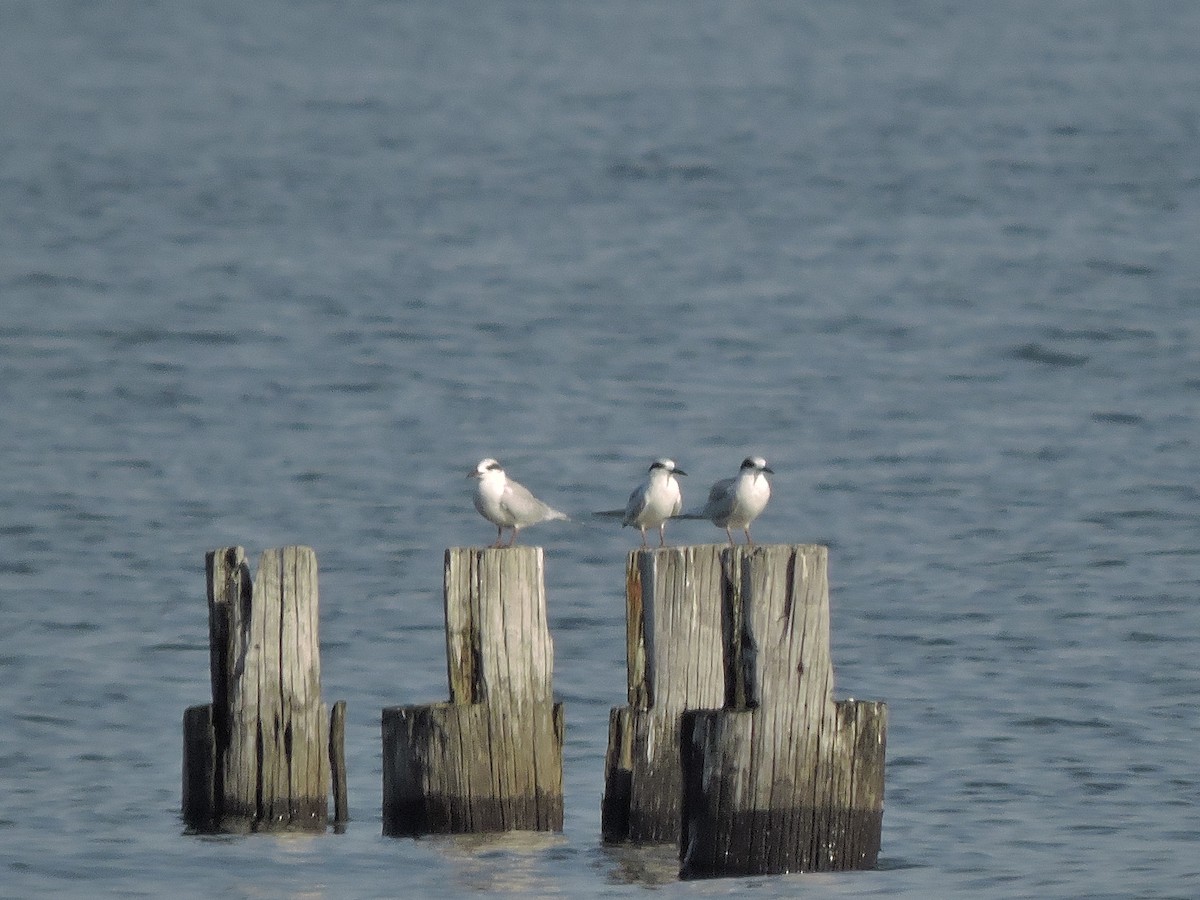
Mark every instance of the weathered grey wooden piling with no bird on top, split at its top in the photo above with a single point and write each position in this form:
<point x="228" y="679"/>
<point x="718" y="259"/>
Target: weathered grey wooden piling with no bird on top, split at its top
<point x="261" y="755"/>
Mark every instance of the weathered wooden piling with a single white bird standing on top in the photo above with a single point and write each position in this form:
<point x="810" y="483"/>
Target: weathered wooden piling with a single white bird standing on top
<point x="493" y="758"/>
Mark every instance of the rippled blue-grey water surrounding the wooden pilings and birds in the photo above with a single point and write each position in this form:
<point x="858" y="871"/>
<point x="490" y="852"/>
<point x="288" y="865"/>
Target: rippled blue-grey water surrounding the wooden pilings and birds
<point x="281" y="275"/>
